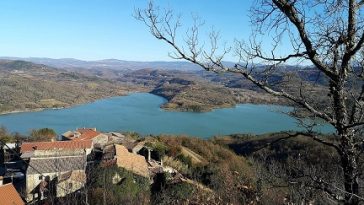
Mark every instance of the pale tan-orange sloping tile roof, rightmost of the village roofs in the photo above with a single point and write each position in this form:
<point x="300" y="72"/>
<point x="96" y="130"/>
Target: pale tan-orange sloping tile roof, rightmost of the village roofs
<point x="132" y="162"/>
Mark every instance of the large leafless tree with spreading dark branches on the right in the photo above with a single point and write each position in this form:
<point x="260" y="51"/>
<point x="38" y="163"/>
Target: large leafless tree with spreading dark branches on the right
<point x="326" y="33"/>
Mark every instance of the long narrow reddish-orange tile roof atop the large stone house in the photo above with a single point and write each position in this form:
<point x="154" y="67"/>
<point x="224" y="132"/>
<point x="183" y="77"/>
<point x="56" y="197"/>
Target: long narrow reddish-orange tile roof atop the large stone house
<point x="70" y="145"/>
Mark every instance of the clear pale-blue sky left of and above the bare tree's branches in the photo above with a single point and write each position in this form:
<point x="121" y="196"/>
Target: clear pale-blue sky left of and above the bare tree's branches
<point x="102" y="29"/>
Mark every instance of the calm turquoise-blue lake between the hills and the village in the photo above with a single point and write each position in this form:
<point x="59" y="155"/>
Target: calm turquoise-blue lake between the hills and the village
<point x="141" y="112"/>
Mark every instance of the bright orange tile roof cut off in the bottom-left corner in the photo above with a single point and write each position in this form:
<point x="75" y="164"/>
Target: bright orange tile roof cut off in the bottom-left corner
<point x="9" y="195"/>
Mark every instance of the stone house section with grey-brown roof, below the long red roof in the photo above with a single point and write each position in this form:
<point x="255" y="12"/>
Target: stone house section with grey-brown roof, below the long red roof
<point x="55" y="176"/>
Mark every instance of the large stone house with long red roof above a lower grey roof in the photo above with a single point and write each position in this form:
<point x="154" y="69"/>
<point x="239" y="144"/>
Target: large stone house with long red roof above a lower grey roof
<point x="55" y="168"/>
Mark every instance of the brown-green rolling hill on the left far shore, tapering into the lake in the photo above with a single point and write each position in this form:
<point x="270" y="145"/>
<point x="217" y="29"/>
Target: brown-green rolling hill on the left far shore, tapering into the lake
<point x="28" y="86"/>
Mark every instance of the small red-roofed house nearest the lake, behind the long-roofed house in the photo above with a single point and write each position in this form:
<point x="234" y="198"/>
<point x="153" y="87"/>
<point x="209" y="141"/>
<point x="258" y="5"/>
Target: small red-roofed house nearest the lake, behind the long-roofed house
<point x="99" y="139"/>
